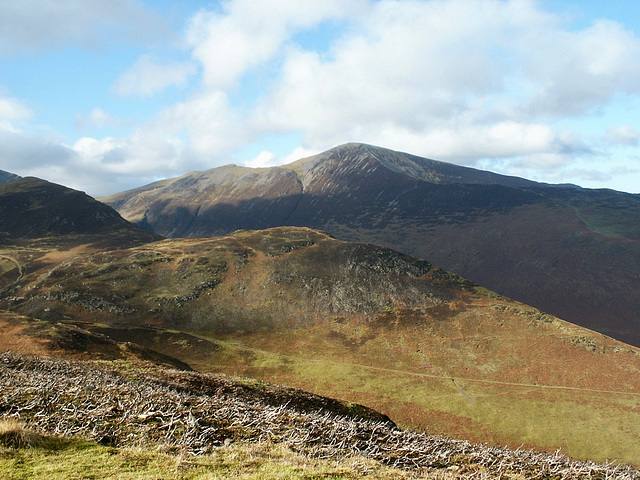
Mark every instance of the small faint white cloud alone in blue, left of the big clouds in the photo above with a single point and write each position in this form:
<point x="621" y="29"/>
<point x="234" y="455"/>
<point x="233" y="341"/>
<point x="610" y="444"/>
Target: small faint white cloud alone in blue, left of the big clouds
<point x="149" y="76"/>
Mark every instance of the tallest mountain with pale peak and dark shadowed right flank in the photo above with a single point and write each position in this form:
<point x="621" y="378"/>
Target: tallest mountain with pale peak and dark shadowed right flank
<point x="572" y="252"/>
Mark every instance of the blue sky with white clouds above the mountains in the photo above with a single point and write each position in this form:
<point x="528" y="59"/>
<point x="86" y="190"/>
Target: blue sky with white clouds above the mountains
<point x="106" y="95"/>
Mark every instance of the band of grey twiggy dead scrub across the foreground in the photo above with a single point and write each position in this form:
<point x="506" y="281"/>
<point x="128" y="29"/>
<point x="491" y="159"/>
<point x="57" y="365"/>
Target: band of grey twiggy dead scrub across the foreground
<point x="125" y="405"/>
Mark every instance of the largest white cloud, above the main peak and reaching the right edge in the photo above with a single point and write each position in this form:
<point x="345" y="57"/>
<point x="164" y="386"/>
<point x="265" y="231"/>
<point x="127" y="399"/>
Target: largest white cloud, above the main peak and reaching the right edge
<point x="456" y="79"/>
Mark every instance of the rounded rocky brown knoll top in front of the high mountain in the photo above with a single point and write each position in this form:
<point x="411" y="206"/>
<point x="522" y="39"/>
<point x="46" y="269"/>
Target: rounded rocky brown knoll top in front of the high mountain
<point x="248" y="280"/>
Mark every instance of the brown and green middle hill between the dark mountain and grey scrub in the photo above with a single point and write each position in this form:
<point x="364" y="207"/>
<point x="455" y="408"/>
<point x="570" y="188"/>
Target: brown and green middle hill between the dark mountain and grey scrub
<point x="360" y="322"/>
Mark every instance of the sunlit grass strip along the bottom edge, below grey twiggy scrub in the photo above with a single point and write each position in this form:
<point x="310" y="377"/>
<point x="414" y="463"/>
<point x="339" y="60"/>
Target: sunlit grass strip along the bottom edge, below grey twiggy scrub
<point x="68" y="459"/>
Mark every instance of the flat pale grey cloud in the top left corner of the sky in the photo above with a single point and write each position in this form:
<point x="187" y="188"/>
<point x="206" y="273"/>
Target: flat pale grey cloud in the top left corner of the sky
<point x="35" y="25"/>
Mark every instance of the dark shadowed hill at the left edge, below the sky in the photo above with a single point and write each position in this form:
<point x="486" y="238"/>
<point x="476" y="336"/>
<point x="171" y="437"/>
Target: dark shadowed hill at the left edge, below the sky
<point x="31" y="208"/>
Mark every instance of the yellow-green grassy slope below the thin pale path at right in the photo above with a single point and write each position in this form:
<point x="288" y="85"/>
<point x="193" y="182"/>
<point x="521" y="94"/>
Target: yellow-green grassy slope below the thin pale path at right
<point x="583" y="424"/>
